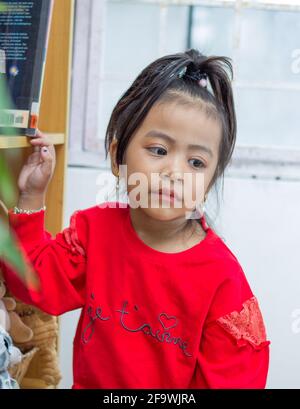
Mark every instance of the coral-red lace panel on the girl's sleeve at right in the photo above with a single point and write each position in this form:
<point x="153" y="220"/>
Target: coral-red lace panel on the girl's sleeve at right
<point x="246" y="325"/>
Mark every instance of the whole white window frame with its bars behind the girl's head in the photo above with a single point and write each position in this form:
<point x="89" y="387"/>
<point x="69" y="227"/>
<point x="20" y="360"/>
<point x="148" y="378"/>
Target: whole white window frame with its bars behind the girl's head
<point x="86" y="150"/>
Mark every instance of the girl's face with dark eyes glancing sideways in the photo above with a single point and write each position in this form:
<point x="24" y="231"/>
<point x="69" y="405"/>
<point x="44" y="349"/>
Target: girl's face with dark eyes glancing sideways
<point x="178" y="145"/>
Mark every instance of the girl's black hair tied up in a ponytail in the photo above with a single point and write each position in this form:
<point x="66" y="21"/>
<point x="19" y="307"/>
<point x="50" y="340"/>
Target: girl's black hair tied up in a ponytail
<point x="159" y="82"/>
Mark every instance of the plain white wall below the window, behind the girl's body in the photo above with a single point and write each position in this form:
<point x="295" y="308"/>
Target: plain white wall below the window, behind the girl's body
<point x="259" y="221"/>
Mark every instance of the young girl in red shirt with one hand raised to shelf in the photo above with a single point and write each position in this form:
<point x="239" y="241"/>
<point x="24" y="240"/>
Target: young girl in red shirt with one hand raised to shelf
<point x="165" y="303"/>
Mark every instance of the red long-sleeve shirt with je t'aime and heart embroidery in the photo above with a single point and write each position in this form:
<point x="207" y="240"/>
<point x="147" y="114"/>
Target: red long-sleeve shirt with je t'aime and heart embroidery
<point x="149" y="319"/>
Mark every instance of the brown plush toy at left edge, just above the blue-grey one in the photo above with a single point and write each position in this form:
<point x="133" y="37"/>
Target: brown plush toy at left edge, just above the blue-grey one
<point x="10" y="320"/>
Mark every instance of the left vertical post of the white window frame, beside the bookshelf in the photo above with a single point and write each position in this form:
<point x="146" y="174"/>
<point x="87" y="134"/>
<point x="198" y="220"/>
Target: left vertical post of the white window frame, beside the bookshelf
<point x="84" y="150"/>
